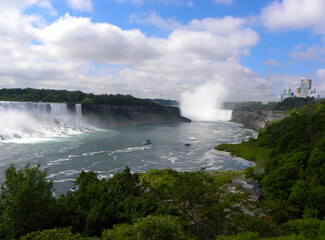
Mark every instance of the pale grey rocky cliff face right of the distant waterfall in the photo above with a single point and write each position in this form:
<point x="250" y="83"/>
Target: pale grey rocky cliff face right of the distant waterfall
<point x="256" y="119"/>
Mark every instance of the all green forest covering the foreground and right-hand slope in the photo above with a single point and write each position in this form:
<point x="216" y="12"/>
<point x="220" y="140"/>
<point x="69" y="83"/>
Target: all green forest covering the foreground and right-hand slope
<point x="166" y="204"/>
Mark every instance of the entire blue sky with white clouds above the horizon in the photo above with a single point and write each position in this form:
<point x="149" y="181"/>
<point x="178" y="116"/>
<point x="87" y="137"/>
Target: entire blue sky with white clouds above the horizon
<point x="234" y="50"/>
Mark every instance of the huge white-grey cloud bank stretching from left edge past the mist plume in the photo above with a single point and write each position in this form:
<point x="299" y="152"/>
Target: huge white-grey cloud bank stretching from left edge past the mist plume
<point x="70" y="51"/>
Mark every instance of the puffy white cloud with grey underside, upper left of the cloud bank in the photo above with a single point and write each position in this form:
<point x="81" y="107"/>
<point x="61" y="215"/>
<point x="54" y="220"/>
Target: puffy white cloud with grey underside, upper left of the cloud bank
<point x="79" y="38"/>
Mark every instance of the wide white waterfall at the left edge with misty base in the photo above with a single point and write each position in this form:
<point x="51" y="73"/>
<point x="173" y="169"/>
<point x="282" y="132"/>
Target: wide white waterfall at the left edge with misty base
<point x="29" y="121"/>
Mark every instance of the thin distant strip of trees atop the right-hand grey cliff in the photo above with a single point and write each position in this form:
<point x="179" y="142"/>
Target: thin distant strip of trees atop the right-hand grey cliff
<point x="286" y="104"/>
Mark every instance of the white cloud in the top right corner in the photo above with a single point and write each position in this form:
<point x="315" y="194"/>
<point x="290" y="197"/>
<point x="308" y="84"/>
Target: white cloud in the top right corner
<point x="294" y="14"/>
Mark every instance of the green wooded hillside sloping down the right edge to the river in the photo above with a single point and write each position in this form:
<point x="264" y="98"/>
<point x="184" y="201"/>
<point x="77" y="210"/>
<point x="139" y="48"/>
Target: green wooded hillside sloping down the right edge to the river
<point x="290" y="157"/>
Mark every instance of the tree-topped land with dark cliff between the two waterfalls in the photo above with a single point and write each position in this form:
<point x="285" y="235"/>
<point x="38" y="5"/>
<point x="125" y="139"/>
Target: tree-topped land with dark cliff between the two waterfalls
<point x="104" y="110"/>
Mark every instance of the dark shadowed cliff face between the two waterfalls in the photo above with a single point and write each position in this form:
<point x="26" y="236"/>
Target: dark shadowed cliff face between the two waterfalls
<point x="118" y="115"/>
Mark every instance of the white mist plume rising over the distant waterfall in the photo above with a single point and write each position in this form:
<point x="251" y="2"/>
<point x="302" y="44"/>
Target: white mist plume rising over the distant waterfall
<point x="204" y="103"/>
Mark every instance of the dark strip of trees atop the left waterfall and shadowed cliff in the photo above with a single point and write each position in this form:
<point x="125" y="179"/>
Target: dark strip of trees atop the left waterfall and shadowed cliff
<point x="49" y="95"/>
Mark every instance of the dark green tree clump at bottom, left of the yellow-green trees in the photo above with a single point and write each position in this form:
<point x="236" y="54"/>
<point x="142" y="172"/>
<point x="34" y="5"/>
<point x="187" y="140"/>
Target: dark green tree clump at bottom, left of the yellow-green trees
<point x="100" y="204"/>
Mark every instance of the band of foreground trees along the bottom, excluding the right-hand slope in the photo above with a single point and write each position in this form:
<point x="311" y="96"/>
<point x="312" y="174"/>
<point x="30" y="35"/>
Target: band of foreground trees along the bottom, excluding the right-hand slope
<point x="159" y="204"/>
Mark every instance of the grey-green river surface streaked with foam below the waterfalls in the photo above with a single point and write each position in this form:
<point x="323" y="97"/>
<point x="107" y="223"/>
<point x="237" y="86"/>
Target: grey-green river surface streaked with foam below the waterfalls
<point x="109" y="151"/>
